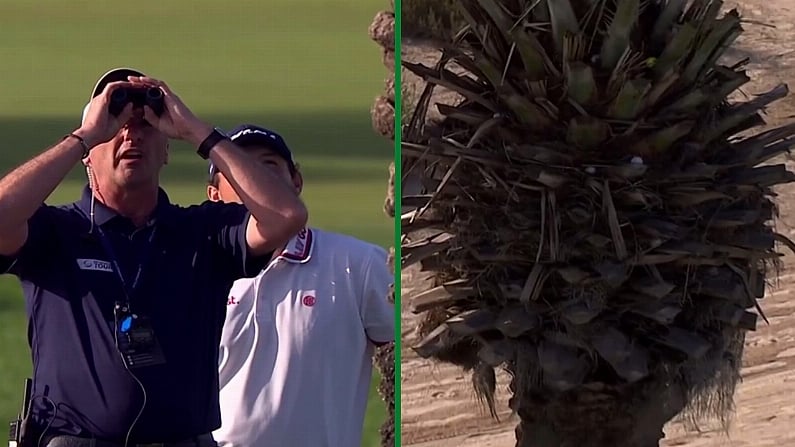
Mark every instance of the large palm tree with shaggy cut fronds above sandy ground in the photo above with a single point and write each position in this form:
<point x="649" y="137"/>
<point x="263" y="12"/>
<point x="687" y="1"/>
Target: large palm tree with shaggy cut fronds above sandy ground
<point x="596" y="213"/>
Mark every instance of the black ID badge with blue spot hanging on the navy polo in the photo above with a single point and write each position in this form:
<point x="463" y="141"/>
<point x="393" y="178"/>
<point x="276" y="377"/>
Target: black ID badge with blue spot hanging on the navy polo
<point x="137" y="342"/>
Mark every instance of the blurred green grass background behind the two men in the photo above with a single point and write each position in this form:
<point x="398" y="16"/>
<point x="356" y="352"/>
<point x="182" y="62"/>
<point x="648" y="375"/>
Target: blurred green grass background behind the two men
<point x="304" y="67"/>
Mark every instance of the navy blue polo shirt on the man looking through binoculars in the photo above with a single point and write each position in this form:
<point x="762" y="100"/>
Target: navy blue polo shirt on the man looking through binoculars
<point x="70" y="289"/>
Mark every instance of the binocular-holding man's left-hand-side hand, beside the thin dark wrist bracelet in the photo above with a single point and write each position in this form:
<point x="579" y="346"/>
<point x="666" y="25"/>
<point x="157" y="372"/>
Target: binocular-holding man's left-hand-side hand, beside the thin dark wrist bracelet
<point x="99" y="125"/>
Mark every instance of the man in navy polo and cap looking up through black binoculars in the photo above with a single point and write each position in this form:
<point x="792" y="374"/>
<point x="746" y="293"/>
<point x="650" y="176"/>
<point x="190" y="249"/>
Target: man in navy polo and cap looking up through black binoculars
<point x="126" y="292"/>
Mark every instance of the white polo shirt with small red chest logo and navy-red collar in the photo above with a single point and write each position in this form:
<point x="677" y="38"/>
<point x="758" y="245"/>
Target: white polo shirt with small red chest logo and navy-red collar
<point x="296" y="351"/>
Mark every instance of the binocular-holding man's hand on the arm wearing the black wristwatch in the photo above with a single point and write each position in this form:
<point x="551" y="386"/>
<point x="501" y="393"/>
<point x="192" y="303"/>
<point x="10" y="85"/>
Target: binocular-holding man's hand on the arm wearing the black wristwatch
<point x="177" y="121"/>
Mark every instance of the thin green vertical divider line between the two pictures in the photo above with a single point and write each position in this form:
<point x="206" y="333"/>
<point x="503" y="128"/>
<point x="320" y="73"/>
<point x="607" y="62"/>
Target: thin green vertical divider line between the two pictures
<point x="398" y="213"/>
